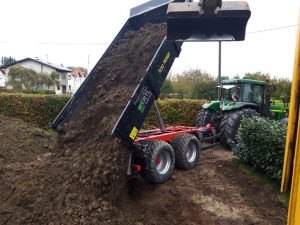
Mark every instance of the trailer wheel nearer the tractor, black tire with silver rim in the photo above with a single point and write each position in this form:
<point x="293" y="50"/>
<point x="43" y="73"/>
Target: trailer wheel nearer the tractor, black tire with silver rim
<point x="187" y="151"/>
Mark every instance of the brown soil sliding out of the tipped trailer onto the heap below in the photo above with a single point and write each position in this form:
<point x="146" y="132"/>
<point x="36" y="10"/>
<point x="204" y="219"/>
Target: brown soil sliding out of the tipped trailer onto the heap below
<point x="77" y="183"/>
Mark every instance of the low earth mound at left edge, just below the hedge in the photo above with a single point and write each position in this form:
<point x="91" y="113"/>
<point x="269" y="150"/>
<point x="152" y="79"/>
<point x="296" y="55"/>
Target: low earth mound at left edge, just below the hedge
<point x="22" y="142"/>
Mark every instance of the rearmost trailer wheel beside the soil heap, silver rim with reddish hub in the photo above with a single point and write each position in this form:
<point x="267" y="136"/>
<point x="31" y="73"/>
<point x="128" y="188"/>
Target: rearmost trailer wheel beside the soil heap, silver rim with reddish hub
<point x="159" y="163"/>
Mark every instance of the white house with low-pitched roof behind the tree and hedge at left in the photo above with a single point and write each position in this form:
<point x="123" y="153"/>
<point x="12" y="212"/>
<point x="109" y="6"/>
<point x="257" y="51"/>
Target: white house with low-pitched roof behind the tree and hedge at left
<point x="47" y="68"/>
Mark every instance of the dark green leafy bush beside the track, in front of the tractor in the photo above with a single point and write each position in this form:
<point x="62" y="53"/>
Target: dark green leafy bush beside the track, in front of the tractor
<point x="260" y="143"/>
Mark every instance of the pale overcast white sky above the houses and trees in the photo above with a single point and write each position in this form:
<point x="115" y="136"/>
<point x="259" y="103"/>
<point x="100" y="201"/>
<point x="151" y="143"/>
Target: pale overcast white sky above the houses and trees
<point x="76" y="33"/>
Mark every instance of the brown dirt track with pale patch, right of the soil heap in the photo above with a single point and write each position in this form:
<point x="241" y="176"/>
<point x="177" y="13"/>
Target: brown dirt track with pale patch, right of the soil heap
<point x="216" y="192"/>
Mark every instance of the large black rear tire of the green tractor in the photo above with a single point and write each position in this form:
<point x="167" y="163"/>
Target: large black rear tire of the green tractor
<point x="231" y="122"/>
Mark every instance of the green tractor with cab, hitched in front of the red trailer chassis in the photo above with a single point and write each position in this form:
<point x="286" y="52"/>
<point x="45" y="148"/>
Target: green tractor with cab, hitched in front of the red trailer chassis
<point x="239" y="97"/>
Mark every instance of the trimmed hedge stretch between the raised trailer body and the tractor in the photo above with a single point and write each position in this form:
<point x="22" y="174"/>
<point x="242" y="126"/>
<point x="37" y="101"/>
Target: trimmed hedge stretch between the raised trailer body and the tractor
<point x="176" y="112"/>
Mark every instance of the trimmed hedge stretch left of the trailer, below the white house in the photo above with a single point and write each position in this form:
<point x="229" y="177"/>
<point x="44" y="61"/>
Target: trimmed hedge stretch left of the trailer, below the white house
<point x="34" y="108"/>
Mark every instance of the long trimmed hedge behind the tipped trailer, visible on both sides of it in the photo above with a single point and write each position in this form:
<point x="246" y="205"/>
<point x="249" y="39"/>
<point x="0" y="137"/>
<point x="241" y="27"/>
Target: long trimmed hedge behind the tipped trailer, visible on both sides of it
<point x="42" y="109"/>
